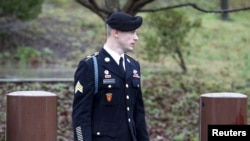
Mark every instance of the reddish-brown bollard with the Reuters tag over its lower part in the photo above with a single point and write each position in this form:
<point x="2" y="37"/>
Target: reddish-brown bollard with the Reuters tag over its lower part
<point x="221" y="108"/>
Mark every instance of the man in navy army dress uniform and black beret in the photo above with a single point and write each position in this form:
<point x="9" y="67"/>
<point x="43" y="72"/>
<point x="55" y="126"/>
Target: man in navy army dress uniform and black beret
<point x="116" y="111"/>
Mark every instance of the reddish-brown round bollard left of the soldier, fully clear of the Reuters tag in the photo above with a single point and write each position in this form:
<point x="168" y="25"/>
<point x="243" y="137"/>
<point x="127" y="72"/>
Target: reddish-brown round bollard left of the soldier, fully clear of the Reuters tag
<point x="31" y="116"/>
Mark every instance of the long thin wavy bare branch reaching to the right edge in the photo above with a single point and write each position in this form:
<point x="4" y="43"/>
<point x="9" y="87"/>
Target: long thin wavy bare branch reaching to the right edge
<point x="195" y="7"/>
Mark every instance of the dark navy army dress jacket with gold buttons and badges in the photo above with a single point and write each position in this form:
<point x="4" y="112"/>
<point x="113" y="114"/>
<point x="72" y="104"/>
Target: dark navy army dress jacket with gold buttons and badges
<point x="116" y="111"/>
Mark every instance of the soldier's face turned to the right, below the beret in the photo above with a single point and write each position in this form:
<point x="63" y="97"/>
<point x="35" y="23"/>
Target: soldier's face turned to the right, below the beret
<point x="127" y="40"/>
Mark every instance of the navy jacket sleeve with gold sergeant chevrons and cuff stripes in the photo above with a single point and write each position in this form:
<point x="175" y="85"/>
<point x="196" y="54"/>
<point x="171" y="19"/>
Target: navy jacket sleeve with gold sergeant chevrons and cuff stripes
<point x="82" y="102"/>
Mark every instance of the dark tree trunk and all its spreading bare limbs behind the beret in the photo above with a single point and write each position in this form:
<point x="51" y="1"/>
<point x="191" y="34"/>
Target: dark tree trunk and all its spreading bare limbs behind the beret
<point x="134" y="6"/>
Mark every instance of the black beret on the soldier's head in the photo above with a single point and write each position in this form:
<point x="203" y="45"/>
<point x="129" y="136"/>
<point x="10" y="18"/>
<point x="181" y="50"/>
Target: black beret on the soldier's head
<point x="124" y="22"/>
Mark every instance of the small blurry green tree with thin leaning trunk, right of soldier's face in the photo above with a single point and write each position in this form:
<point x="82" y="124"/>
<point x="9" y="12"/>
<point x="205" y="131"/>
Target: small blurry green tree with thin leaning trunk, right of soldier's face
<point x="167" y="35"/>
